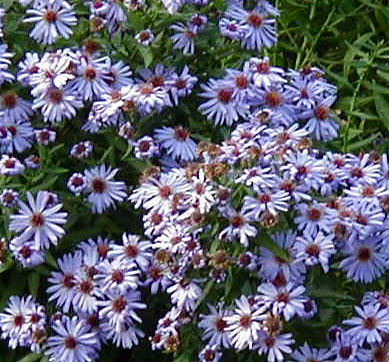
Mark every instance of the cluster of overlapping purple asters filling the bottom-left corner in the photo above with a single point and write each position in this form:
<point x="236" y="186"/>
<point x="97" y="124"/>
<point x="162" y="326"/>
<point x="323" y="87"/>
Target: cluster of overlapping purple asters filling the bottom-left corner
<point x="98" y="283"/>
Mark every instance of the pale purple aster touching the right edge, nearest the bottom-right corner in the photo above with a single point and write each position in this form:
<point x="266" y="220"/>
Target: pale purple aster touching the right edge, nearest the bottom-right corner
<point x="369" y="325"/>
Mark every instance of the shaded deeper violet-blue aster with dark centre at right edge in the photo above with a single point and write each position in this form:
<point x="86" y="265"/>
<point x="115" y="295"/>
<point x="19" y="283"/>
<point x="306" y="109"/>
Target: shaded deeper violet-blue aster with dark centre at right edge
<point x="366" y="260"/>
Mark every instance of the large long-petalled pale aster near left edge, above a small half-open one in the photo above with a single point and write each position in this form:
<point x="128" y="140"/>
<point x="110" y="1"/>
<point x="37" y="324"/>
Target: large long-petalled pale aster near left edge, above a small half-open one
<point x="39" y="221"/>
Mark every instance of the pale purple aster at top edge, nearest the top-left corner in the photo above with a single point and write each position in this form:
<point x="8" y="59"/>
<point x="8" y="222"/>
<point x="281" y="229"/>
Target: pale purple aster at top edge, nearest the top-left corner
<point x="54" y="19"/>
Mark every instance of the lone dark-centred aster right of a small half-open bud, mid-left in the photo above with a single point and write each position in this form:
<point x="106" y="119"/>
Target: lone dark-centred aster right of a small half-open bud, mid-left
<point x="103" y="190"/>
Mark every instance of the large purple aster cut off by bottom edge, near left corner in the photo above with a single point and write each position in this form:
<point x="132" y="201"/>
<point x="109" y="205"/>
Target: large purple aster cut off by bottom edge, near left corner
<point x="72" y="342"/>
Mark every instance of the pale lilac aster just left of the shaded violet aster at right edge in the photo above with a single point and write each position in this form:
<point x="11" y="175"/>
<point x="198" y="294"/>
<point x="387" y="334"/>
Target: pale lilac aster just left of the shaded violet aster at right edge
<point x="314" y="250"/>
